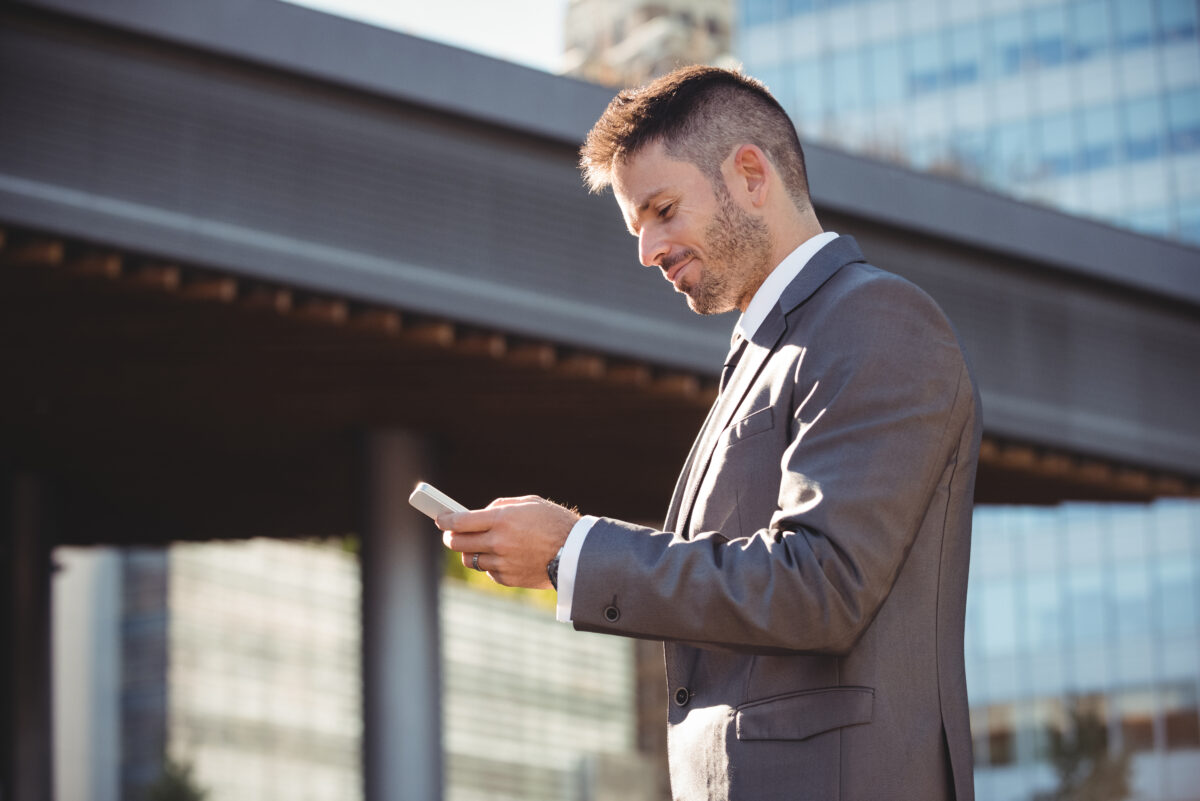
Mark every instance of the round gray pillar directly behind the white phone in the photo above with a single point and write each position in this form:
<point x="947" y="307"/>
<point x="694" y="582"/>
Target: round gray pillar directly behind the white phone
<point x="401" y="667"/>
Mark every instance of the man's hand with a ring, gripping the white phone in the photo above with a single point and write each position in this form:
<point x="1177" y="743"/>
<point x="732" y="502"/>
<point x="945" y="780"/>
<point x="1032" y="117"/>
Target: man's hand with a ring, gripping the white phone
<point x="515" y="539"/>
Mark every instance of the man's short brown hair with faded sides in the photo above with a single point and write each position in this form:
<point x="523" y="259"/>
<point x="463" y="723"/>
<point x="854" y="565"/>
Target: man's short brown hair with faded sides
<point x="700" y="115"/>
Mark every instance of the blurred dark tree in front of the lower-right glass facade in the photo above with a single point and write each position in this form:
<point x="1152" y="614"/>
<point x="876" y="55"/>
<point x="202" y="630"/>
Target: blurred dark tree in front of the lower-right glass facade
<point x="1088" y="769"/>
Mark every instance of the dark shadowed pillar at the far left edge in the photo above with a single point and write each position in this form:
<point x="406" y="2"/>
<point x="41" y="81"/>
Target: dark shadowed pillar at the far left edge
<point x="26" y="677"/>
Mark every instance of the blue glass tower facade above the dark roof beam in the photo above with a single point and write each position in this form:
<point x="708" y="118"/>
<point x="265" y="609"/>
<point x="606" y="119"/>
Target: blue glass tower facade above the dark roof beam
<point x="1089" y="106"/>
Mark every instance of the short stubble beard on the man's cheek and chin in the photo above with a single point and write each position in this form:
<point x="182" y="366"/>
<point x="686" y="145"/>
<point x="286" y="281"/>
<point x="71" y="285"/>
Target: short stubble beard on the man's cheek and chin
<point x="737" y="261"/>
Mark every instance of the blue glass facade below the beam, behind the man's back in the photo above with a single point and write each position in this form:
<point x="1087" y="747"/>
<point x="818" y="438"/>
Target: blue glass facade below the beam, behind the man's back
<point x="1083" y="640"/>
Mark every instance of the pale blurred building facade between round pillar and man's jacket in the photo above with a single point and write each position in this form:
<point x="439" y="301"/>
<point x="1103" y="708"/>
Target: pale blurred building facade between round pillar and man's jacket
<point x="535" y="710"/>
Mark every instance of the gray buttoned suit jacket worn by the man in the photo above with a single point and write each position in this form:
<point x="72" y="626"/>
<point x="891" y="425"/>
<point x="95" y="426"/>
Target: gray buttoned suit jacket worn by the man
<point x="812" y="577"/>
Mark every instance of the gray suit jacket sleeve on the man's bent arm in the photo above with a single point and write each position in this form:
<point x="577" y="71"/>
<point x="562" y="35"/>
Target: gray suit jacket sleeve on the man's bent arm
<point x="878" y="396"/>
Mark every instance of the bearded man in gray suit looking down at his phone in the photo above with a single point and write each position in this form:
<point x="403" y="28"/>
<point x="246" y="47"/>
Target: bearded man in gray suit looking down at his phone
<point x="811" y="580"/>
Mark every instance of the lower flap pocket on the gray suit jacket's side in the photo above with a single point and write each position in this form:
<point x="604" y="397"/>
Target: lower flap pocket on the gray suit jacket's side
<point x="799" y="716"/>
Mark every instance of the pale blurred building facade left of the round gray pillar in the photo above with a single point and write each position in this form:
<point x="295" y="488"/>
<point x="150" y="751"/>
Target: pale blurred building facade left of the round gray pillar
<point x="263" y="690"/>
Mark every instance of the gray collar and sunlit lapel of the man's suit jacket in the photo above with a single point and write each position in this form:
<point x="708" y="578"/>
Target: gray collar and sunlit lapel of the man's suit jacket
<point x="824" y="264"/>
